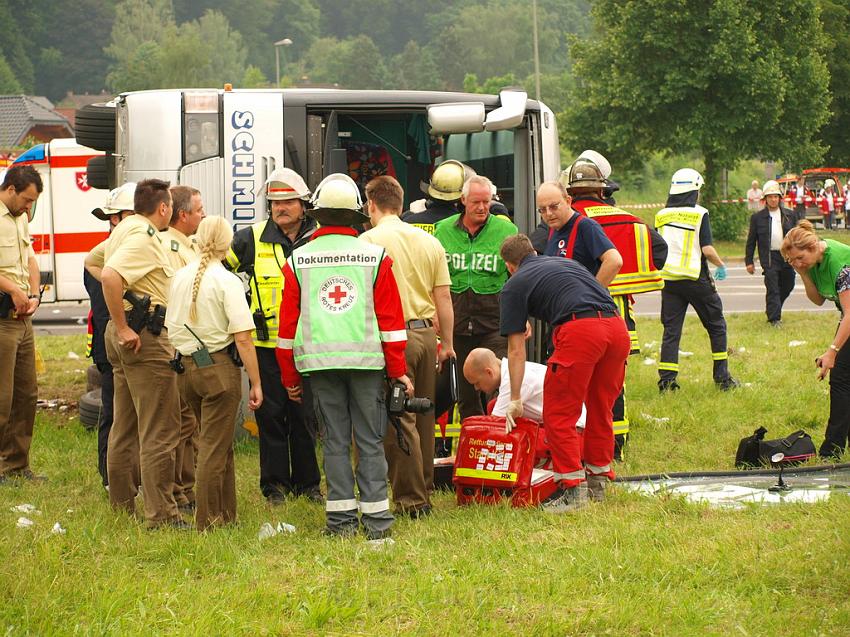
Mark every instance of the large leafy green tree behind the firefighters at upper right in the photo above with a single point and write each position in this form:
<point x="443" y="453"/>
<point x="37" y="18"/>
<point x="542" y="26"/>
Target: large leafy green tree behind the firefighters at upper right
<point x="721" y="78"/>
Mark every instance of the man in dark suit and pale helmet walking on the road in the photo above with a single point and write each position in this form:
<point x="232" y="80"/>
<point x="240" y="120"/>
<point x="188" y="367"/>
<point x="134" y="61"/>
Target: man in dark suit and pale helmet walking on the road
<point x="768" y="226"/>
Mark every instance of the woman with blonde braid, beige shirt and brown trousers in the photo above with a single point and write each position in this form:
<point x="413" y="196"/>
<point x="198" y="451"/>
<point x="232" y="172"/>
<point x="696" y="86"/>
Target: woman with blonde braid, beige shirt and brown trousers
<point x="208" y="316"/>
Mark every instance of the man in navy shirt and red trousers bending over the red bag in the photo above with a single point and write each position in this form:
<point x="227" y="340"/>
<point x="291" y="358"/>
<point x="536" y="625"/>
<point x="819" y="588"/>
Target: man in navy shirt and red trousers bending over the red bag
<point x="587" y="366"/>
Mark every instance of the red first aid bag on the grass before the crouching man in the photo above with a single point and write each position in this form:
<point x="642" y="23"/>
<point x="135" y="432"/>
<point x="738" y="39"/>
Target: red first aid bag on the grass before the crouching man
<point x="491" y="465"/>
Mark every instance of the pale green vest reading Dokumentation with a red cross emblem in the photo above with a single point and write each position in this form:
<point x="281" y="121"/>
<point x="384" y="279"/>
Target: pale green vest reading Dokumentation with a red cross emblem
<point x="337" y="328"/>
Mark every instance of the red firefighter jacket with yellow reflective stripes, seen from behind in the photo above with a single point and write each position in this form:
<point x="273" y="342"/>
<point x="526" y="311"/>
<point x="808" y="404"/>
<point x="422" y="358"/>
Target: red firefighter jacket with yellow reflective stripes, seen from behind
<point x="631" y="237"/>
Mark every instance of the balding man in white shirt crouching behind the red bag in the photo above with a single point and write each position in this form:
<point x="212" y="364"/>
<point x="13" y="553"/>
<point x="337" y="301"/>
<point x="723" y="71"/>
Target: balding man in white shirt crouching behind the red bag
<point x="484" y="371"/>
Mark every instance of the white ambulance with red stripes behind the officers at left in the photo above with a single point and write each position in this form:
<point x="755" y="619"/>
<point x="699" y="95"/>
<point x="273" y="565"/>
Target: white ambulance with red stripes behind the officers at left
<point x="62" y="227"/>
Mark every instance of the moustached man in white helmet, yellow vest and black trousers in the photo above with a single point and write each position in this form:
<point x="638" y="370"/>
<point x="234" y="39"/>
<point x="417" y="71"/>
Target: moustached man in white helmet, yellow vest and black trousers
<point x="287" y="443"/>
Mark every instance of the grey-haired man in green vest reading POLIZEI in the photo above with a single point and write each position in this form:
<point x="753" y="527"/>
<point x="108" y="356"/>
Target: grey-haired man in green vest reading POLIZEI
<point x="472" y="240"/>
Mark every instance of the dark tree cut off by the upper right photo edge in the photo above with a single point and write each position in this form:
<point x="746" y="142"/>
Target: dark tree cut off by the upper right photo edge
<point x="835" y="17"/>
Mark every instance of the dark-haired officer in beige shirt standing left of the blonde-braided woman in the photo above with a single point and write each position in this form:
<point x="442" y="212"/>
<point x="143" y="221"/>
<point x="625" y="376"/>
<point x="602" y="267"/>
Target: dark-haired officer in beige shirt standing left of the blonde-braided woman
<point x="147" y="405"/>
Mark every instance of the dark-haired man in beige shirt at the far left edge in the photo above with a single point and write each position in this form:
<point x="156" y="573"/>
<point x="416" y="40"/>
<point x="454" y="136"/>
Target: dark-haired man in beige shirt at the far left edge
<point x="19" y="299"/>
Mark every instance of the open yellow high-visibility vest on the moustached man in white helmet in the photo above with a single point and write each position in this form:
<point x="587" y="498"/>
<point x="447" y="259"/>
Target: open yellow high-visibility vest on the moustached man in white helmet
<point x="267" y="283"/>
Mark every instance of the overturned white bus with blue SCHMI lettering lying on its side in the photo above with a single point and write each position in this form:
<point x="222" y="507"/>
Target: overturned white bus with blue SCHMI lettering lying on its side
<point x="226" y="142"/>
